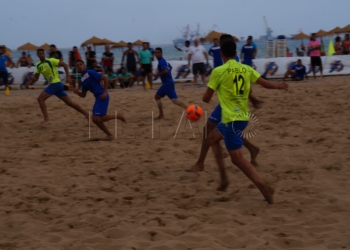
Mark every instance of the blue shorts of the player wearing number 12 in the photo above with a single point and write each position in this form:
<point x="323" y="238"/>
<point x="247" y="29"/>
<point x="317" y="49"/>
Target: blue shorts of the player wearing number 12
<point x="232" y="134"/>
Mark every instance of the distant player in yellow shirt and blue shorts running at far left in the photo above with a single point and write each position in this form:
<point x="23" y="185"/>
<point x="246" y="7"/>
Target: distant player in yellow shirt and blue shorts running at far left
<point x="48" y="68"/>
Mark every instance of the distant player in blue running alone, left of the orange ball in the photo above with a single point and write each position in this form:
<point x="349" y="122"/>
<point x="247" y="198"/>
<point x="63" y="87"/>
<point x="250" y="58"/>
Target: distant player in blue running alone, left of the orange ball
<point x="168" y="85"/>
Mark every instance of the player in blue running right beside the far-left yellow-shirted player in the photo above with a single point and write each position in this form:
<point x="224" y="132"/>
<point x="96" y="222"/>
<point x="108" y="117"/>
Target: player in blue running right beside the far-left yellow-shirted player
<point x="97" y="84"/>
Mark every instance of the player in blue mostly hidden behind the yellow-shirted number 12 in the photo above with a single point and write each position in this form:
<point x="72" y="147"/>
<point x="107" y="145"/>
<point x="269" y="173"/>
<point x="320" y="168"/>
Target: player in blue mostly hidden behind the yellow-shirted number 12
<point x="215" y="119"/>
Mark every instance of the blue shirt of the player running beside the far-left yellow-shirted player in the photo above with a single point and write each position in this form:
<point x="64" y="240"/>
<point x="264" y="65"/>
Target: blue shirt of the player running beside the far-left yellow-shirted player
<point x="90" y="81"/>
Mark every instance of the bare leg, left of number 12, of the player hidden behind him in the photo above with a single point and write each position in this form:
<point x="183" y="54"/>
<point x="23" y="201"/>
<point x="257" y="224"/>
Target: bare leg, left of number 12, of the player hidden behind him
<point x="213" y="120"/>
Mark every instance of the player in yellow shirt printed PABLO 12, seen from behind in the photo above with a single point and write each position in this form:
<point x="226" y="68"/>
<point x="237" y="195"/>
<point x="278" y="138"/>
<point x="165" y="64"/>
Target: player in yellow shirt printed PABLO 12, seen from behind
<point x="232" y="82"/>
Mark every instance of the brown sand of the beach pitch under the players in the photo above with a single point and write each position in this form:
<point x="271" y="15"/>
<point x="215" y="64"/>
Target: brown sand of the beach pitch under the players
<point x="58" y="190"/>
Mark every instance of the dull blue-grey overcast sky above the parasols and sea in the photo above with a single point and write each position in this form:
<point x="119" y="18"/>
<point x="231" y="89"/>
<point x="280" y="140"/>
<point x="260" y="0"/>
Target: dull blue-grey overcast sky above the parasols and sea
<point x="67" y="23"/>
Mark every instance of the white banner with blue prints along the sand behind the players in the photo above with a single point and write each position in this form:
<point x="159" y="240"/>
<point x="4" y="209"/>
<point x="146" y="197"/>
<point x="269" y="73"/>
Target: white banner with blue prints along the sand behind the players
<point x="272" y="68"/>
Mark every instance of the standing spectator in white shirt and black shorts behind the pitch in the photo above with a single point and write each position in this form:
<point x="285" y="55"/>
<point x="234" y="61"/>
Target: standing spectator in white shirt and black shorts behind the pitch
<point x="197" y="54"/>
